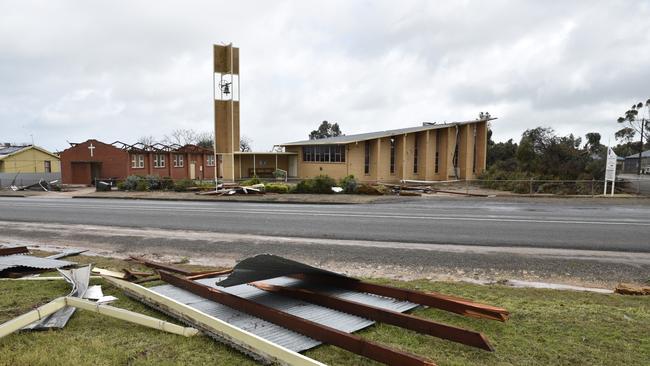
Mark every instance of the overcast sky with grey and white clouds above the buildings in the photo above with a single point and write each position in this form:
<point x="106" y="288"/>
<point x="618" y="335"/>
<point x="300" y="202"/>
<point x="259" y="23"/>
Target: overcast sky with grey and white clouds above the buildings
<point x="118" y="70"/>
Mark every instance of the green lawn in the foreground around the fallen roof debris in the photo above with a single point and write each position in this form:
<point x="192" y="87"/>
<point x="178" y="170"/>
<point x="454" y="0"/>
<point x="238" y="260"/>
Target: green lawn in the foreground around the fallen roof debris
<point x="547" y="327"/>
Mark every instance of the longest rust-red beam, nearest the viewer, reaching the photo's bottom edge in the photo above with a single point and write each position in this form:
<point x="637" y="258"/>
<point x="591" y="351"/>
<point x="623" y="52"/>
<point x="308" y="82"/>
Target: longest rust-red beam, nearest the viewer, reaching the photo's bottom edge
<point x="306" y="327"/>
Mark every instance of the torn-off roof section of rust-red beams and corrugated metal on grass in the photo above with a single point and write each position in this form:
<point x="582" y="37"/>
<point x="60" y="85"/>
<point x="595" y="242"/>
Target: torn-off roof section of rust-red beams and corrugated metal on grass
<point x="298" y="307"/>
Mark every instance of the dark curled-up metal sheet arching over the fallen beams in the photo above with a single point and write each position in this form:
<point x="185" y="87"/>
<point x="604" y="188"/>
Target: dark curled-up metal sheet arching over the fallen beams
<point x="265" y="266"/>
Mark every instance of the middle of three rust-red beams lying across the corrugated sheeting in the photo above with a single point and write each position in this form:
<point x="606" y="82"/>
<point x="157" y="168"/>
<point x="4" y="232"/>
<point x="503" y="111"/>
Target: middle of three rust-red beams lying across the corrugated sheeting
<point x="401" y="320"/>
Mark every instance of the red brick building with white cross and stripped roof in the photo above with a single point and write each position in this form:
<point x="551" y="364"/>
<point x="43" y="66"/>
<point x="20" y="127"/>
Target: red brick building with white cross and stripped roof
<point x="84" y="162"/>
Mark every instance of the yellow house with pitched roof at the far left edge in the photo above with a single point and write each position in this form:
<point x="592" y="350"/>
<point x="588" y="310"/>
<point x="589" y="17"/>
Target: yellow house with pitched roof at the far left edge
<point x="27" y="159"/>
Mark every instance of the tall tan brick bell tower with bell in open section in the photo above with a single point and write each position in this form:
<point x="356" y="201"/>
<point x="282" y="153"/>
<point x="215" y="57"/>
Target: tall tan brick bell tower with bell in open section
<point x="225" y="86"/>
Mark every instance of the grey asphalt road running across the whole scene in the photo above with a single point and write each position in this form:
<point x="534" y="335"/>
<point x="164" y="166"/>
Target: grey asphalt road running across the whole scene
<point x="569" y="224"/>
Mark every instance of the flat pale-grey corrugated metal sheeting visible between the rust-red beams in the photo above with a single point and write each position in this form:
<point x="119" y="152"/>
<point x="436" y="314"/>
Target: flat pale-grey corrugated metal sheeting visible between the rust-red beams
<point x="276" y="334"/>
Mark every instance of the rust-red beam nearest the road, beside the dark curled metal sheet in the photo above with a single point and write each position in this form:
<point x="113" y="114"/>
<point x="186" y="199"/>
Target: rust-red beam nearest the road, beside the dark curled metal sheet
<point x="433" y="299"/>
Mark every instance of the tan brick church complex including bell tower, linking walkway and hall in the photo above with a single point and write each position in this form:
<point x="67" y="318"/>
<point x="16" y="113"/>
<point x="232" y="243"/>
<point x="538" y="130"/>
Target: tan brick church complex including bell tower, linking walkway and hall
<point x="428" y="152"/>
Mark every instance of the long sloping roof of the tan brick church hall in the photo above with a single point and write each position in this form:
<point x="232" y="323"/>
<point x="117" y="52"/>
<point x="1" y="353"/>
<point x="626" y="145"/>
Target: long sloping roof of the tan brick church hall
<point x="346" y="139"/>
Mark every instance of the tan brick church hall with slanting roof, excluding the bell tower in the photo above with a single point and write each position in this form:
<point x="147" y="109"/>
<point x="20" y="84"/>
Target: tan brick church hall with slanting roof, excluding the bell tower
<point x="429" y="152"/>
